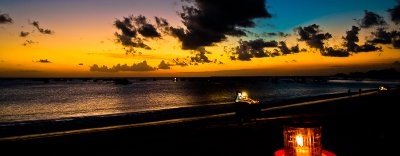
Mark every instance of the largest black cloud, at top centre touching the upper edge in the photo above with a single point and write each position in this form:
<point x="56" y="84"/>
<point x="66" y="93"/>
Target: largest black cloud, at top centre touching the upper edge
<point x="210" y="21"/>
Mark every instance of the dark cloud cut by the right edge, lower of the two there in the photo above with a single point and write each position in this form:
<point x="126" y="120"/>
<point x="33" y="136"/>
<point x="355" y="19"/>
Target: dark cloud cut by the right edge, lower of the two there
<point x="382" y="36"/>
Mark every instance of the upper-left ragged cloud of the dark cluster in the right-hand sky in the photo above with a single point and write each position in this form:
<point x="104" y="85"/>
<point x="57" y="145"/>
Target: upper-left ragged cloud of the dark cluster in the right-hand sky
<point x="312" y="36"/>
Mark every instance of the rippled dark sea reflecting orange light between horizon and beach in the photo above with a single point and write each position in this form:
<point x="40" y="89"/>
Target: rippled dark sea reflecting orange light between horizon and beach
<point x="27" y="100"/>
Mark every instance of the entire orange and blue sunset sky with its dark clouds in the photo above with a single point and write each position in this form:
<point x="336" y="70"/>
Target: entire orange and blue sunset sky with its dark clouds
<point x="85" y="38"/>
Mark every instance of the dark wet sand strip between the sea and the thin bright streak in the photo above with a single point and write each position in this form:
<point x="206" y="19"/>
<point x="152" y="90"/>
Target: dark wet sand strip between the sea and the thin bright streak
<point x="45" y="126"/>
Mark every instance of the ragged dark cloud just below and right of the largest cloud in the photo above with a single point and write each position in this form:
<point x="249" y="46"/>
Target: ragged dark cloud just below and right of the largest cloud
<point x="253" y="48"/>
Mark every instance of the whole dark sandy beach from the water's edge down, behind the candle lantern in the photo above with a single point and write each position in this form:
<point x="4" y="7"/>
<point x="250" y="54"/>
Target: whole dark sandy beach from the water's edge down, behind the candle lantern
<point x="352" y="124"/>
